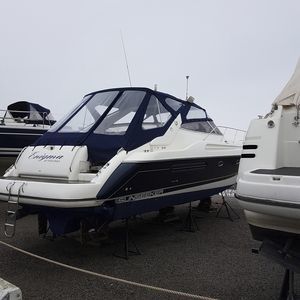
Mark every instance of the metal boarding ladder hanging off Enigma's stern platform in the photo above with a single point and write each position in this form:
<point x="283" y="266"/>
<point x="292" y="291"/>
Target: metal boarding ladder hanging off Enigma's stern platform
<point x="11" y="213"/>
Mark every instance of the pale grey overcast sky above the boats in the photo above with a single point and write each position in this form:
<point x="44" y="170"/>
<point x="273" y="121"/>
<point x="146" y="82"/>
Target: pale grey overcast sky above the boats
<point x="239" y="54"/>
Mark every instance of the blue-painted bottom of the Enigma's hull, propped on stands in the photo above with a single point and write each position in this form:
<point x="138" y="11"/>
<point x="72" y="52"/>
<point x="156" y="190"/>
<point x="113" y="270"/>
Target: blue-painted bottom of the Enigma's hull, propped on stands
<point x="65" y="220"/>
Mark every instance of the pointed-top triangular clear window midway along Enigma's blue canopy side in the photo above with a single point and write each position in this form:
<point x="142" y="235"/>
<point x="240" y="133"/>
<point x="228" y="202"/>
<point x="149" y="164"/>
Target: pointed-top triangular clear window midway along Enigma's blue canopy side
<point x="156" y="115"/>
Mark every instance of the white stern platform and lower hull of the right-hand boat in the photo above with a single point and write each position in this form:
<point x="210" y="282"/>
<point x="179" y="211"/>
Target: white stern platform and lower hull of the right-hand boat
<point x="270" y="202"/>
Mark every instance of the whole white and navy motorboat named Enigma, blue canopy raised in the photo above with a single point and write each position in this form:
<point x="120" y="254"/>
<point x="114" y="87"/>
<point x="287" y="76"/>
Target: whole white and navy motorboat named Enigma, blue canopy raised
<point x="119" y="153"/>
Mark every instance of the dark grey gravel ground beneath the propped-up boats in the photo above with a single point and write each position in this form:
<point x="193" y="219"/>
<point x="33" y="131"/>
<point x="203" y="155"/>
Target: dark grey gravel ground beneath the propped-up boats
<point x="215" y="261"/>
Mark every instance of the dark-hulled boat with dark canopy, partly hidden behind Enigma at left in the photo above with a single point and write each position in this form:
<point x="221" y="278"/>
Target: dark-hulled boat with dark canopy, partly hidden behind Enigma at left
<point x="20" y="125"/>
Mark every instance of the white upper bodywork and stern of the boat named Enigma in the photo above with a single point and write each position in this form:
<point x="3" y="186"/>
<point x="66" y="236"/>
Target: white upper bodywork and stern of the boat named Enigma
<point x="60" y="171"/>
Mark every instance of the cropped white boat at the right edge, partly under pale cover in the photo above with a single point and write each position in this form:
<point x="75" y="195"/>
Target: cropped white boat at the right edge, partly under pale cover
<point x="268" y="185"/>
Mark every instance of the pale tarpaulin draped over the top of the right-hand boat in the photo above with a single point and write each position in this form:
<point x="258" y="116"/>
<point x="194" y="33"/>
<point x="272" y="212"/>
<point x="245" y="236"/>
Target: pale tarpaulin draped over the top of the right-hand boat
<point x="290" y="94"/>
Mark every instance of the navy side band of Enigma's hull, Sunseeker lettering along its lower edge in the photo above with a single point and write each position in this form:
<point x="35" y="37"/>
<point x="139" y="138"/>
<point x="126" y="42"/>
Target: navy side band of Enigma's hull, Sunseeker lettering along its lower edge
<point x="133" y="180"/>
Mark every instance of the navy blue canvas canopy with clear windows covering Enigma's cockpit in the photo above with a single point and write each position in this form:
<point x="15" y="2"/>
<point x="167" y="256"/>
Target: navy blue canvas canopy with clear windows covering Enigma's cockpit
<point x="108" y="120"/>
